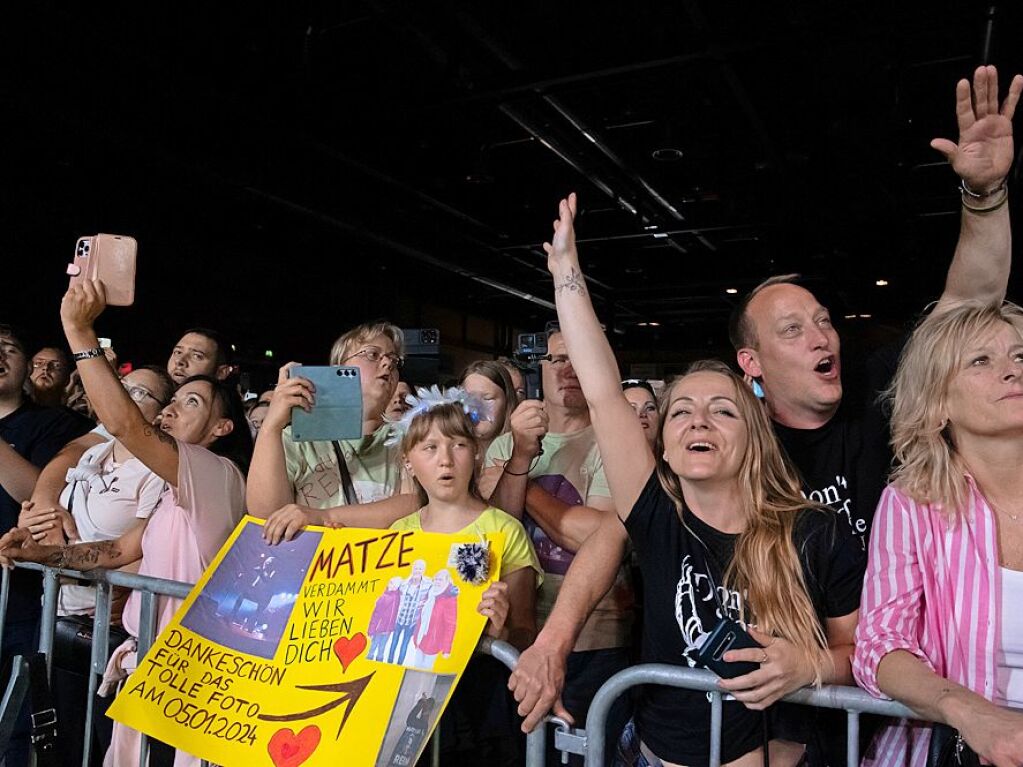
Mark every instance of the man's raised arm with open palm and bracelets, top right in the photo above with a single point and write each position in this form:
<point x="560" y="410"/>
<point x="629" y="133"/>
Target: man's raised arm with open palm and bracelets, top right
<point x="982" y="159"/>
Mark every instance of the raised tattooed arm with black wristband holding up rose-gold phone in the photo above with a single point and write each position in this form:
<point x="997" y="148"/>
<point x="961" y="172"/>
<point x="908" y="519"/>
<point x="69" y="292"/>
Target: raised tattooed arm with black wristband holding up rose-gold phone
<point x="115" y="410"/>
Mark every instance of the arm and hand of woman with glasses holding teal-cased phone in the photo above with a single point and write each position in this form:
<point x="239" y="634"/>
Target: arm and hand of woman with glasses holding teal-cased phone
<point x="269" y="486"/>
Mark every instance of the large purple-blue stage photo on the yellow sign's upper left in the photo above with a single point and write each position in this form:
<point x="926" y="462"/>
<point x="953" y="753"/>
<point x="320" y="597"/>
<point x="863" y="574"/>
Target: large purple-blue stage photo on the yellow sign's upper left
<point x="249" y="601"/>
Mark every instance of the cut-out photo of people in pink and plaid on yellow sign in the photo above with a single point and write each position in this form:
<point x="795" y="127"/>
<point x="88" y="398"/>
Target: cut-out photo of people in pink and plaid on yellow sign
<point x="415" y="619"/>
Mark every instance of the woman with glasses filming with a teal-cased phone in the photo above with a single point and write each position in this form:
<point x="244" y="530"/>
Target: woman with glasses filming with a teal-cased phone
<point x="358" y="483"/>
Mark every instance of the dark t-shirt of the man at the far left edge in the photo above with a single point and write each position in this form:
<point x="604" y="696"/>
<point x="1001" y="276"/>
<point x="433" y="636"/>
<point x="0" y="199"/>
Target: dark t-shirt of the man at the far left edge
<point x="37" y="434"/>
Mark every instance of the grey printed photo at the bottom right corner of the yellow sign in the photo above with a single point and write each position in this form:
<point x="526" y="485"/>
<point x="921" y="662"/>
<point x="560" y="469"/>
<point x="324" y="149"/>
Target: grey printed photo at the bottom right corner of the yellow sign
<point x="418" y="708"/>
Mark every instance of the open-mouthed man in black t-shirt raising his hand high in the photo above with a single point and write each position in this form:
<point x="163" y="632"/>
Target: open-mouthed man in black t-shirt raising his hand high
<point x="785" y="340"/>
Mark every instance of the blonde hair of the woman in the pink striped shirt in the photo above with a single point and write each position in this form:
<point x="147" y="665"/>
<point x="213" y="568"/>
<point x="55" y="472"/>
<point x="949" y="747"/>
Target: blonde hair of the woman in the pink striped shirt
<point x="929" y="469"/>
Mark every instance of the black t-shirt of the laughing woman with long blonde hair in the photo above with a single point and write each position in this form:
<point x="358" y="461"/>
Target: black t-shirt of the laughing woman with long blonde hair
<point x="680" y="611"/>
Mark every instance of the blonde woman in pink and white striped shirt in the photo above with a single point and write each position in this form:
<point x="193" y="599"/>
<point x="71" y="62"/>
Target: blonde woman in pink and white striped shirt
<point x="941" y="627"/>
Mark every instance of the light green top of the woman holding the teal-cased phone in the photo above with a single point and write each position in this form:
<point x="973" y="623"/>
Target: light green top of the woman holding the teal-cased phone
<point x="313" y="469"/>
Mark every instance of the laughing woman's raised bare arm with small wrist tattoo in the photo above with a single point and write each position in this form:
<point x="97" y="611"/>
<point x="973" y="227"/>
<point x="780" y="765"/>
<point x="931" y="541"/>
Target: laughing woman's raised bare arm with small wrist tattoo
<point x="628" y="459"/>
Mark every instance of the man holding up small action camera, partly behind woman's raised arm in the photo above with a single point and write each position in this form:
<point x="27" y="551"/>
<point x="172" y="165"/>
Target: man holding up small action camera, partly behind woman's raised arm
<point x="550" y="474"/>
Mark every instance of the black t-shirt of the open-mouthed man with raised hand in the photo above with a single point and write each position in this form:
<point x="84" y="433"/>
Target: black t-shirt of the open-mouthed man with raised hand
<point x="846" y="464"/>
